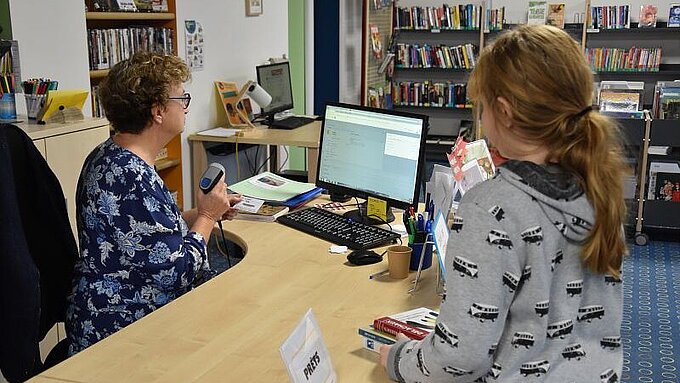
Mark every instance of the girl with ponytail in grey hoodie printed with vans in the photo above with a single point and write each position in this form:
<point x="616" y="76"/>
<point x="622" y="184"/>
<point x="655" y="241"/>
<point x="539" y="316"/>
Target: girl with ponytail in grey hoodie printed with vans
<point x="546" y="300"/>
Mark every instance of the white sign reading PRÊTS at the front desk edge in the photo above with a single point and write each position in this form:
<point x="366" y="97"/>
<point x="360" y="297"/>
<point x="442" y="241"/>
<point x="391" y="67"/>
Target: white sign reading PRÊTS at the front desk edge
<point x="305" y="355"/>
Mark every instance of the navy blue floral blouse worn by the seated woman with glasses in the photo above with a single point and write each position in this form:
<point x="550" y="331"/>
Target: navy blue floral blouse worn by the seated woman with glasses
<point x="136" y="253"/>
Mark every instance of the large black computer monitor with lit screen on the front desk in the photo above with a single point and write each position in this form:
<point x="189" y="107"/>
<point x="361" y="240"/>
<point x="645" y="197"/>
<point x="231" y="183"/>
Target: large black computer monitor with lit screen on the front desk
<point x="372" y="152"/>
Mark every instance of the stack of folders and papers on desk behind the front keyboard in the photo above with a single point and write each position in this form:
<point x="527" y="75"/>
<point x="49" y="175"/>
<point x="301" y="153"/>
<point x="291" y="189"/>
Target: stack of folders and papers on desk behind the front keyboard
<point x="275" y="190"/>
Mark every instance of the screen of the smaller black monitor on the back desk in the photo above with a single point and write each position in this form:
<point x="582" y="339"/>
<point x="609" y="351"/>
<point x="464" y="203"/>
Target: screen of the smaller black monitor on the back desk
<point x="275" y="79"/>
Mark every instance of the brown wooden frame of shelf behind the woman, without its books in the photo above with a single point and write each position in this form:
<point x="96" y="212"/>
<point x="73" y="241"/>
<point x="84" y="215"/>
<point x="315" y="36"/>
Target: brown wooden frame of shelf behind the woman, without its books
<point x="170" y="169"/>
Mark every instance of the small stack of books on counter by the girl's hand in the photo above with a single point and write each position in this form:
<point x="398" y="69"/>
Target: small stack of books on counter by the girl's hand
<point x="415" y="324"/>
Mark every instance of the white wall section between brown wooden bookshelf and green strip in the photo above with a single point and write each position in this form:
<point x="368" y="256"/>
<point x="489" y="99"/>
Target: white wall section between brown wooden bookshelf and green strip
<point x="234" y="45"/>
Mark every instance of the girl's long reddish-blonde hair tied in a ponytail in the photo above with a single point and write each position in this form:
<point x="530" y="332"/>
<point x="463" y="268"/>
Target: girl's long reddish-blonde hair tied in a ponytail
<point x="543" y="74"/>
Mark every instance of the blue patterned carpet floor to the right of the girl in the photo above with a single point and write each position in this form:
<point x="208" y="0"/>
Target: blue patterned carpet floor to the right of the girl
<point x="650" y="332"/>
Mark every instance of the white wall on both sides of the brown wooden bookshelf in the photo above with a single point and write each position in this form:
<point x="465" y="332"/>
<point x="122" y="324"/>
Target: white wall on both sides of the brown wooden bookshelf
<point x="234" y="45"/>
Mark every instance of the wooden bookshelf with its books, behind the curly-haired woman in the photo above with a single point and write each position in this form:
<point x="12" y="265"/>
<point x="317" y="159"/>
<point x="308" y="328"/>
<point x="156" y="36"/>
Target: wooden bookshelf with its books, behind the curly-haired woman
<point x="159" y="29"/>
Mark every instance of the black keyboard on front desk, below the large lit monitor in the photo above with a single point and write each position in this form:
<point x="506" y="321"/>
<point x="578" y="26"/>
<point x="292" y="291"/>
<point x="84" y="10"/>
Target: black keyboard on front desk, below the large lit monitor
<point x="337" y="229"/>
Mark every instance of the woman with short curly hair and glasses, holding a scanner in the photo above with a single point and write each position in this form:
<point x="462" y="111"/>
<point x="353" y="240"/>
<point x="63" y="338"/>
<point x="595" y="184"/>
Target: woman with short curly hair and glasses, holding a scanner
<point x="137" y="250"/>
